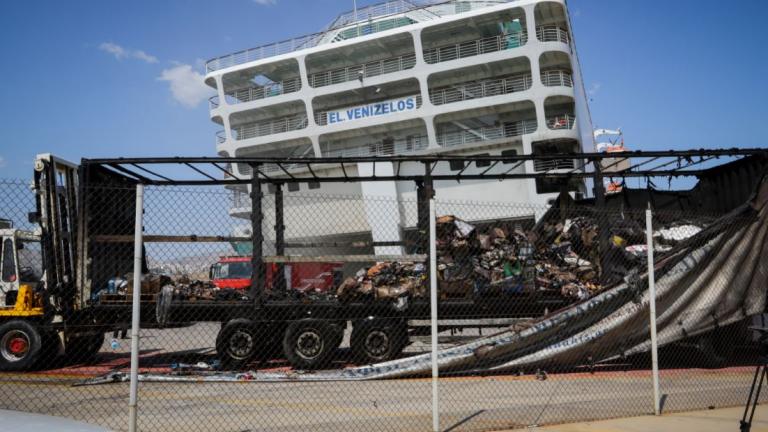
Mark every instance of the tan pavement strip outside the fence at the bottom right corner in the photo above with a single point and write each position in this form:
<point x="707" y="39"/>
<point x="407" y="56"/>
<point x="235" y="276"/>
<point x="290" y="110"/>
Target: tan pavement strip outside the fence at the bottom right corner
<point x="716" y="420"/>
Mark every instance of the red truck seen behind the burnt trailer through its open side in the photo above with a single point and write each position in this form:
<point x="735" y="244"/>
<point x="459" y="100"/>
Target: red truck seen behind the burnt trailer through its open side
<point x="235" y="273"/>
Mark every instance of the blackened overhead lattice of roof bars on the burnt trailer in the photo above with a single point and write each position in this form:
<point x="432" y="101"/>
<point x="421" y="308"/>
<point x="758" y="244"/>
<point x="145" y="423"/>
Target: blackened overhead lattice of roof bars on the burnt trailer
<point x="643" y="164"/>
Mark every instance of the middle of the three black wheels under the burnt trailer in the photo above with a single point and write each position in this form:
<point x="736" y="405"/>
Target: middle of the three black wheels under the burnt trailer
<point x="308" y="343"/>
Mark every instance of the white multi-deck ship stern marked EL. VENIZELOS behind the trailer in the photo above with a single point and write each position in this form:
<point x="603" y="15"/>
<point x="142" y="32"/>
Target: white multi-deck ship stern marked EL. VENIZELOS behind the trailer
<point x="405" y="77"/>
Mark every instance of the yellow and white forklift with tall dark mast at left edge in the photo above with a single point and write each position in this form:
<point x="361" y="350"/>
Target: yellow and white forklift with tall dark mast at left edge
<point x="40" y="317"/>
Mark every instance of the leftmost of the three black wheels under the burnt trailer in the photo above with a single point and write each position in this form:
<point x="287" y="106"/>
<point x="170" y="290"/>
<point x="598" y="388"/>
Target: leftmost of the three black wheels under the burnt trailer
<point x="238" y="343"/>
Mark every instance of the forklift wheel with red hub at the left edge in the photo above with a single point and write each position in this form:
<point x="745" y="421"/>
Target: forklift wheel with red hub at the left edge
<point x="20" y="346"/>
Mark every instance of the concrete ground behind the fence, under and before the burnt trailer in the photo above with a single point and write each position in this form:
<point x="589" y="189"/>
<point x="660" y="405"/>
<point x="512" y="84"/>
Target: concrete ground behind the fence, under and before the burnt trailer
<point x="500" y="402"/>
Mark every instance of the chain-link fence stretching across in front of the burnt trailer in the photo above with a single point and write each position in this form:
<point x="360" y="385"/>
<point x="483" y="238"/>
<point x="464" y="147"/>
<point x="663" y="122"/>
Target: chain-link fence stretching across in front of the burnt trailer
<point x="543" y="311"/>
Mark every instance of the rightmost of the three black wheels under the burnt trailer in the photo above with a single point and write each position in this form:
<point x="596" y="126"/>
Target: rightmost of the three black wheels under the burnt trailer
<point x="377" y="340"/>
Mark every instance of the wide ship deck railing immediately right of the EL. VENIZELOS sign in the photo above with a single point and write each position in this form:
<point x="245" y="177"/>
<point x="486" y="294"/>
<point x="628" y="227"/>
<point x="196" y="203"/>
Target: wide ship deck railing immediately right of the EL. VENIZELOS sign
<point x="480" y="89"/>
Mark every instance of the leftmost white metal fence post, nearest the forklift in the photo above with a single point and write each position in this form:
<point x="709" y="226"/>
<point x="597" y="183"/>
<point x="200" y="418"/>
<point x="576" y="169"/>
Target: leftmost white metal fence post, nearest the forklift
<point x="136" y="310"/>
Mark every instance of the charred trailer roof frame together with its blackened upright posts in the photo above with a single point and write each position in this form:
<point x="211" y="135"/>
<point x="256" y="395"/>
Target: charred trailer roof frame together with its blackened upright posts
<point x="672" y="164"/>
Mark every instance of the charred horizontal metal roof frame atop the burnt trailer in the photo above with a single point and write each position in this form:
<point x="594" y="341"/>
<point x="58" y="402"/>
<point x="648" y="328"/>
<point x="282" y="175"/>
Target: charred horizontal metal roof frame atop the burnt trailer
<point x="312" y="167"/>
